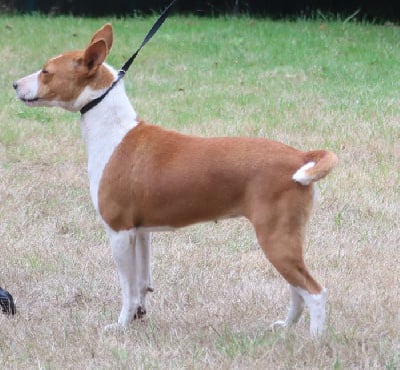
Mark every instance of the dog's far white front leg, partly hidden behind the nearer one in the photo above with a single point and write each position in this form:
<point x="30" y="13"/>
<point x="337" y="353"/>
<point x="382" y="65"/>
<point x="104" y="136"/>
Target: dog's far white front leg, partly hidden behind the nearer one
<point x="143" y="266"/>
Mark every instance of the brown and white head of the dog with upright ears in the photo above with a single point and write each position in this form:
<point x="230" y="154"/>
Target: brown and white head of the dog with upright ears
<point x="71" y="79"/>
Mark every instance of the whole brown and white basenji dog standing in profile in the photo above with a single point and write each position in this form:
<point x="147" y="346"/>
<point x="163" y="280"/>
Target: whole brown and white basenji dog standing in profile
<point x="144" y="178"/>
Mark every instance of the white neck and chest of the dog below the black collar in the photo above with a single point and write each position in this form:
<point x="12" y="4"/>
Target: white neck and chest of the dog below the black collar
<point x="103" y="128"/>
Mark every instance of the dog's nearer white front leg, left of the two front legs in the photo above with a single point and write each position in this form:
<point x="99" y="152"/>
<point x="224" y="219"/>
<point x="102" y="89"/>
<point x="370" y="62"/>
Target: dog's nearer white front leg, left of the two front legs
<point x="123" y="245"/>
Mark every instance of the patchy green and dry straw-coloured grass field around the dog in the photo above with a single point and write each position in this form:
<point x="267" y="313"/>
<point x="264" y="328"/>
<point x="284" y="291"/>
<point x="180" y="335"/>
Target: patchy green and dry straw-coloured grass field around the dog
<point x="332" y="85"/>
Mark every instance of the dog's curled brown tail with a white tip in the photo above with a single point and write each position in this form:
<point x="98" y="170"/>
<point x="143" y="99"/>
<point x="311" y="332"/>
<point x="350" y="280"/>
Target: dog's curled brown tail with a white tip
<point x="318" y="163"/>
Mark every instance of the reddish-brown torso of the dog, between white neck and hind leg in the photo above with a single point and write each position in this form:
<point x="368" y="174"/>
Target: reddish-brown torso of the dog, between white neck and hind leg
<point x="161" y="178"/>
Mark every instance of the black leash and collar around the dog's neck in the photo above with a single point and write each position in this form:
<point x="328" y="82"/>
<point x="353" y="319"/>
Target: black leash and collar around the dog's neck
<point x="128" y="63"/>
